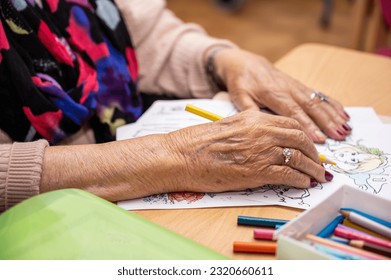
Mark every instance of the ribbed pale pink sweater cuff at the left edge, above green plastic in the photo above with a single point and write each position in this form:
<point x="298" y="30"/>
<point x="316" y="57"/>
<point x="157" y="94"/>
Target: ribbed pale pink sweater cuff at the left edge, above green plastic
<point x="20" y="171"/>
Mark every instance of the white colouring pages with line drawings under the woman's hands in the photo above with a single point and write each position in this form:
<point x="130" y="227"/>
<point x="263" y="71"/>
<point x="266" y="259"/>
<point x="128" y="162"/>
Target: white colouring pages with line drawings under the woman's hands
<point x="363" y="160"/>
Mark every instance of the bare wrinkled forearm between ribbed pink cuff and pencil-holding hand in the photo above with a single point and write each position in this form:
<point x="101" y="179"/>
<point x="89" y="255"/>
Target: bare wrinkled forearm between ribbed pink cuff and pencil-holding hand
<point x="116" y="170"/>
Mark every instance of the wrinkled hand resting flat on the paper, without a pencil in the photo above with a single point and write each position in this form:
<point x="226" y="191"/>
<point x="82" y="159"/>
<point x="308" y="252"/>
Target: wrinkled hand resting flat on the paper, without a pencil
<point x="254" y="83"/>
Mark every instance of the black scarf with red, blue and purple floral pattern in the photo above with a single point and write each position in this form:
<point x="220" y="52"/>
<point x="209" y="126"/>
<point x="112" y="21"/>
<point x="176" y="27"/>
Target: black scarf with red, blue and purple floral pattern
<point x="63" y="63"/>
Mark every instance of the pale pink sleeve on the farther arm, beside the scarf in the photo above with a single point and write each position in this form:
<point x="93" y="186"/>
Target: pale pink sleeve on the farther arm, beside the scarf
<point x="170" y="52"/>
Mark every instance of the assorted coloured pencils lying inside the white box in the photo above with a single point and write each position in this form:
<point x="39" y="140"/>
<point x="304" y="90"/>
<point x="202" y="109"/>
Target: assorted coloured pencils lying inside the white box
<point x="354" y="235"/>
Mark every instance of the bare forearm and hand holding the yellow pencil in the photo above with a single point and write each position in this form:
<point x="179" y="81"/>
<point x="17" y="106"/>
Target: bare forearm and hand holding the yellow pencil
<point x="236" y="153"/>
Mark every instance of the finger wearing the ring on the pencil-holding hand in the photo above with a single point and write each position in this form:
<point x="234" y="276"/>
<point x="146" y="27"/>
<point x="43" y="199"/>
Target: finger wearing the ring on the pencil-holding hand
<point x="305" y="165"/>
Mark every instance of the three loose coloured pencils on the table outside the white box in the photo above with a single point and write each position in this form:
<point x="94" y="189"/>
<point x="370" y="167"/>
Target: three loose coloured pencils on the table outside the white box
<point x="264" y="234"/>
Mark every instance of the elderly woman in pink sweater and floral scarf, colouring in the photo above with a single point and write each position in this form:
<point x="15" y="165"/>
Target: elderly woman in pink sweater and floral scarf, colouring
<point x="71" y="72"/>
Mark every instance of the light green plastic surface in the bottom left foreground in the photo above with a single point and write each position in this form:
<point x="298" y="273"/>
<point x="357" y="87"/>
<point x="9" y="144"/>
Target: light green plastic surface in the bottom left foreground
<point x="73" y="224"/>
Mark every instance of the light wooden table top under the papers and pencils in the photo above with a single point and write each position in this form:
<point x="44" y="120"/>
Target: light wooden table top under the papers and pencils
<point x="354" y="78"/>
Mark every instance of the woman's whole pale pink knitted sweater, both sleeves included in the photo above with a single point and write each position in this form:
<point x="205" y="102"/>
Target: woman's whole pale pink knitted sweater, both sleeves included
<point x="170" y="60"/>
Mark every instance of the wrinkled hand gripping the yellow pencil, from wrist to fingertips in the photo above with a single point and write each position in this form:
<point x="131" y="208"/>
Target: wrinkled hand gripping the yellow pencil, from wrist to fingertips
<point x="245" y="151"/>
